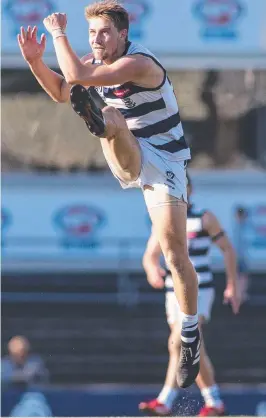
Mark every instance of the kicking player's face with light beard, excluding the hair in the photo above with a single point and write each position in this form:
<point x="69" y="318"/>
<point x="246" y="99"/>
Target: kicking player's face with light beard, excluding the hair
<point x="104" y="38"/>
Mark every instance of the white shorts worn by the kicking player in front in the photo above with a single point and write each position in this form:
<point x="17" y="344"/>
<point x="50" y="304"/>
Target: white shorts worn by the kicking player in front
<point x="160" y="173"/>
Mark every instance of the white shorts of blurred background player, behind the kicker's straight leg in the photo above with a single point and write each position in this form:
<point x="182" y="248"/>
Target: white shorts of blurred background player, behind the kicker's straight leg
<point x="205" y="302"/>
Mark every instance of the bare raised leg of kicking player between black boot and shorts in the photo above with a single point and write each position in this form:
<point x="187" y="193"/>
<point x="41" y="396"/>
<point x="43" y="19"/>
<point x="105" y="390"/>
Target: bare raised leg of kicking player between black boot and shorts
<point x="120" y="147"/>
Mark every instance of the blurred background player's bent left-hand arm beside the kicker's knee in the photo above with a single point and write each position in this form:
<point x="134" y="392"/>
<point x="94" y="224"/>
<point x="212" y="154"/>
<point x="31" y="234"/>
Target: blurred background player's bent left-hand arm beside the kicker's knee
<point x="151" y="262"/>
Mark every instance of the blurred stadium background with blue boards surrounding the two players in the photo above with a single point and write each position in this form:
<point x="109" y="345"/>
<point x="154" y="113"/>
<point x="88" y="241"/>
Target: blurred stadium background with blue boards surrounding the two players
<point x="73" y="286"/>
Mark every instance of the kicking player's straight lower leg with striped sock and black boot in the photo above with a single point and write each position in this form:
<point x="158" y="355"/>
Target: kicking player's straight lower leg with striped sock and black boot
<point x="168" y="216"/>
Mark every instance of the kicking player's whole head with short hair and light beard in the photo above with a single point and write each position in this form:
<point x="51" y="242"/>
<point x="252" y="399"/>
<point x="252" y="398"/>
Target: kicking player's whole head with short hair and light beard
<point x="108" y="29"/>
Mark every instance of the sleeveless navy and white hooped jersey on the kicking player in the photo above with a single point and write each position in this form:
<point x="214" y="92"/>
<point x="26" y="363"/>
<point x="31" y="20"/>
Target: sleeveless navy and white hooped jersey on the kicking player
<point x="151" y="114"/>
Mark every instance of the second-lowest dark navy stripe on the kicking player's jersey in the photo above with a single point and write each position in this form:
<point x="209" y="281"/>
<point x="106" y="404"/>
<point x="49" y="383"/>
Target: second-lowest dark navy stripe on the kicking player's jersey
<point x="158" y="127"/>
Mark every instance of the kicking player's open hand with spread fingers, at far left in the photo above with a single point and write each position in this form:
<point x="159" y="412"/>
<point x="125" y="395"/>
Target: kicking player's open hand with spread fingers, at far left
<point x="31" y="49"/>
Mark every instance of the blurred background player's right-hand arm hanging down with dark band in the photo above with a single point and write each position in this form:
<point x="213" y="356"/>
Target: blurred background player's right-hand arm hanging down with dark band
<point x="214" y="229"/>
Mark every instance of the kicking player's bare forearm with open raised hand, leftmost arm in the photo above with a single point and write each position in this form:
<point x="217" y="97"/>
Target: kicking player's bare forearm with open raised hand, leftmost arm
<point x="32" y="51"/>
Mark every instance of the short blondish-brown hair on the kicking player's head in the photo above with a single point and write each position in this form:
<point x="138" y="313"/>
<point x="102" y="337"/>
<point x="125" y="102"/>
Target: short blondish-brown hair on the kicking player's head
<point x="109" y="9"/>
